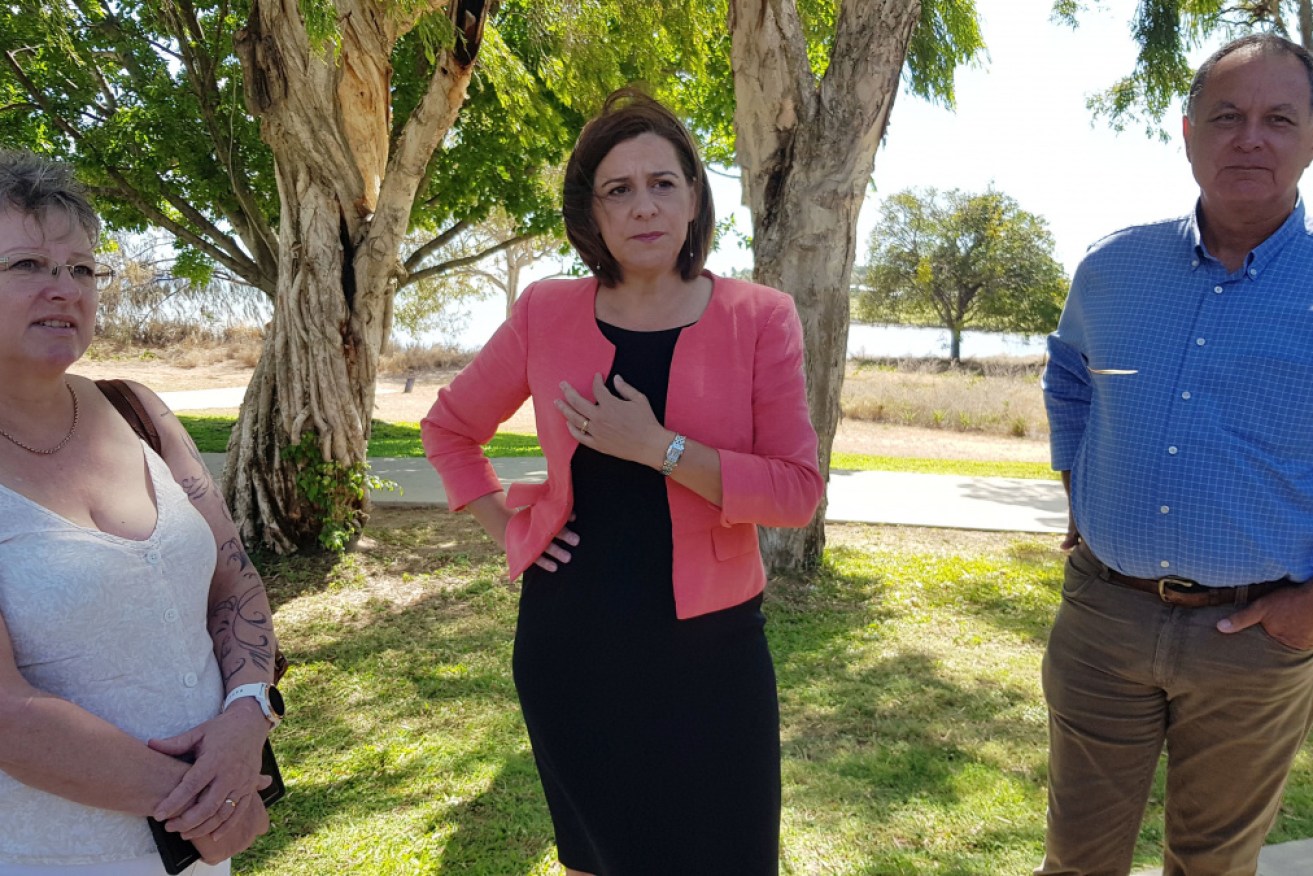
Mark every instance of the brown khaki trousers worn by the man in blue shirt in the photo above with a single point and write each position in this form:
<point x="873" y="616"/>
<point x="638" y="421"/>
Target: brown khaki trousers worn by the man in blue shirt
<point x="1126" y="674"/>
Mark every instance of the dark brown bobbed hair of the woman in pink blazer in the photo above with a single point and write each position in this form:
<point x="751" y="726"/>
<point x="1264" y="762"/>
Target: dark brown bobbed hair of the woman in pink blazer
<point x="626" y="115"/>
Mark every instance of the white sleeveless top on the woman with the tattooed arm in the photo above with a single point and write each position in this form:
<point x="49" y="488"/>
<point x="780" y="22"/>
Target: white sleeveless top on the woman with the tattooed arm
<point x="118" y="627"/>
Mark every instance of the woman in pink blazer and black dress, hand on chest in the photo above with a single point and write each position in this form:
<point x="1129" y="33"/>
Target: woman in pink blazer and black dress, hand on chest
<point x="673" y="414"/>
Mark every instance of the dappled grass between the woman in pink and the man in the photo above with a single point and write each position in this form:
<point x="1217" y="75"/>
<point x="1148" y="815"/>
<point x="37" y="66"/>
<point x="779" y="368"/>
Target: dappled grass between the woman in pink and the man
<point x="880" y="744"/>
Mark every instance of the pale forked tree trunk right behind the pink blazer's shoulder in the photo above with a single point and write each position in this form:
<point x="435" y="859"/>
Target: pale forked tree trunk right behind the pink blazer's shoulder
<point x="807" y="148"/>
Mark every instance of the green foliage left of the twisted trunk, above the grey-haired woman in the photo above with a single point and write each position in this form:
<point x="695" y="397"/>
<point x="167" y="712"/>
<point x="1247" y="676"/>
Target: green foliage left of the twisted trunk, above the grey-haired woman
<point x="150" y="112"/>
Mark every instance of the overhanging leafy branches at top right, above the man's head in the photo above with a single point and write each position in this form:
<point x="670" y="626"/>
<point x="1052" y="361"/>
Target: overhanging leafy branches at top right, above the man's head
<point x="1168" y="30"/>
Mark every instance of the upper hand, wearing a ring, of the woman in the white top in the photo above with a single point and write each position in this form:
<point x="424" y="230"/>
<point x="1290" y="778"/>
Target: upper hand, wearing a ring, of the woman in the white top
<point x="226" y="752"/>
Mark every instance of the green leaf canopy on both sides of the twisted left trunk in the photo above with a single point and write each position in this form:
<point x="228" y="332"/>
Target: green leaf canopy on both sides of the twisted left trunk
<point x="146" y="99"/>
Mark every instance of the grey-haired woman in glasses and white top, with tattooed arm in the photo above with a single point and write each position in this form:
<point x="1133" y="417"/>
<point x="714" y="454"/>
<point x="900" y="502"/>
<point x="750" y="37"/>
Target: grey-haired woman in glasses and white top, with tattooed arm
<point x="136" y="639"/>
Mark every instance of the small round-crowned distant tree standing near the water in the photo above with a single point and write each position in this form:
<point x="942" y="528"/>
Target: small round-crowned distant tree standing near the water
<point x="960" y="261"/>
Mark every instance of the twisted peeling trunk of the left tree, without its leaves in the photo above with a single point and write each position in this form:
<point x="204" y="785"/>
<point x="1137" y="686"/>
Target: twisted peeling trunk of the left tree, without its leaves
<point x="346" y="192"/>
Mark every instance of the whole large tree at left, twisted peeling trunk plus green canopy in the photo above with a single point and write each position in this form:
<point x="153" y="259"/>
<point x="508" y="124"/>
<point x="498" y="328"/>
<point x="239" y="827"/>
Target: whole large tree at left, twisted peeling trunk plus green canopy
<point x="295" y="145"/>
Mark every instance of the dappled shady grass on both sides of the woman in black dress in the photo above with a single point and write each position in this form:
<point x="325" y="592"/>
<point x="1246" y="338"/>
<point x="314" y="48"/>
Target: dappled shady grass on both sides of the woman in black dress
<point x="406" y="736"/>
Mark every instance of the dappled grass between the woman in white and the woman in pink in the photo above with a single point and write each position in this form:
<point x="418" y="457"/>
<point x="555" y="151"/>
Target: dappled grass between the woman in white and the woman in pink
<point x="405" y="751"/>
